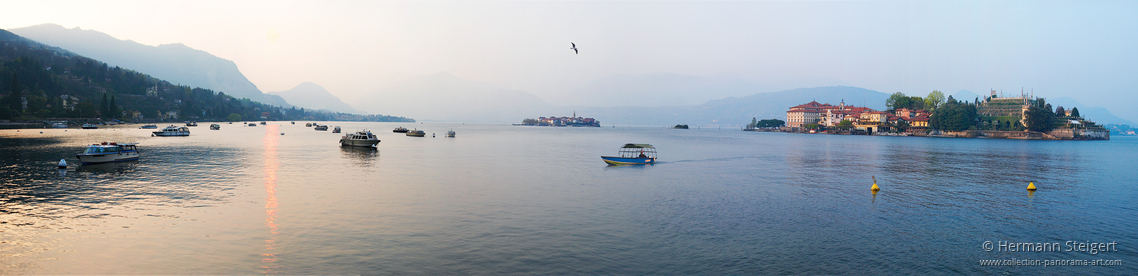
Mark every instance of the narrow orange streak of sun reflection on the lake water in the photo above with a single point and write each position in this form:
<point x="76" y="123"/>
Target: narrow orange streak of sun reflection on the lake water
<point x="269" y="260"/>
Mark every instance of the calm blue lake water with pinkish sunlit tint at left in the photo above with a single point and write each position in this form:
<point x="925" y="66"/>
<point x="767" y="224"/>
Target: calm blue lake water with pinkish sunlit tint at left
<point x="504" y="199"/>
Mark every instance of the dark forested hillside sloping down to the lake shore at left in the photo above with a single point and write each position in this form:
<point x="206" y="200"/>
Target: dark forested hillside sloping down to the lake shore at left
<point x="43" y="82"/>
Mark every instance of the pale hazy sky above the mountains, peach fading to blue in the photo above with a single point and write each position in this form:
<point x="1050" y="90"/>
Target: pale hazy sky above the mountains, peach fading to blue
<point x="1081" y="49"/>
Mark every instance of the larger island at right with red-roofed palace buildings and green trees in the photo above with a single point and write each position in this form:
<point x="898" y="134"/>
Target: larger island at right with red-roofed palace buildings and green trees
<point x="1025" y="116"/>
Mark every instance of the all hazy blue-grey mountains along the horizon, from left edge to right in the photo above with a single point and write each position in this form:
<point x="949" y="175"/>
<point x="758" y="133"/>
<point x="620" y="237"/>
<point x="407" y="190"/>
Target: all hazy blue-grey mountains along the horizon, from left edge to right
<point x="647" y="99"/>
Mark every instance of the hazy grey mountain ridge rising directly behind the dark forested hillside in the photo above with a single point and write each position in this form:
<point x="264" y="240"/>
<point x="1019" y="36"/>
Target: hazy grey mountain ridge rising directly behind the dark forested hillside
<point x="175" y="63"/>
